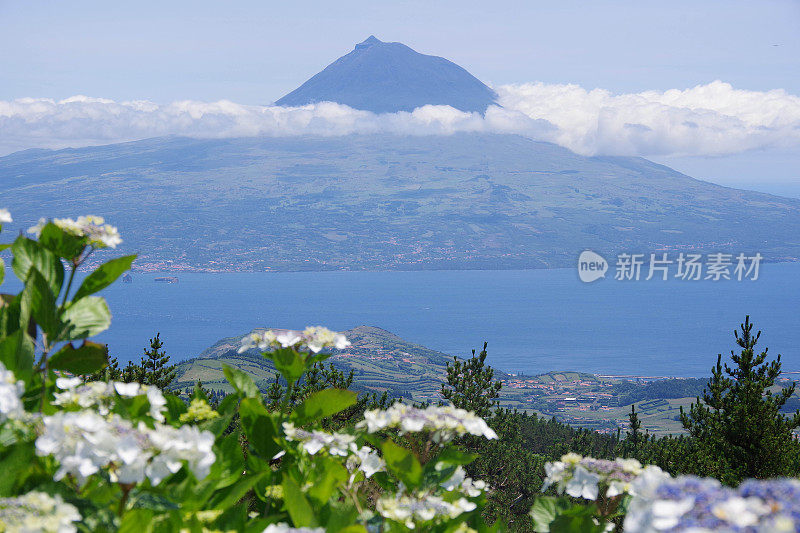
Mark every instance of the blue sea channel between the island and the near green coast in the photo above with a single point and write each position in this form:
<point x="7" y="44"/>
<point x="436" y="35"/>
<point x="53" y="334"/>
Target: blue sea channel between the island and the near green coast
<point x="534" y="320"/>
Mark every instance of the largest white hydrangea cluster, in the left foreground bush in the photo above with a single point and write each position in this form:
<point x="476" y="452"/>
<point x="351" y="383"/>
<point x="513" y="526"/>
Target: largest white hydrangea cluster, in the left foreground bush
<point x="85" y="442"/>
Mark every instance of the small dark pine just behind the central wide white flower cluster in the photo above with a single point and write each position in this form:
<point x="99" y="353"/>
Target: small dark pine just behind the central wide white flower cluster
<point x="470" y="384"/>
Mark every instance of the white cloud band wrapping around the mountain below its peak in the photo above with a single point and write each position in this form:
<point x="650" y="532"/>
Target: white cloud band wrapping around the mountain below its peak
<point x="712" y="119"/>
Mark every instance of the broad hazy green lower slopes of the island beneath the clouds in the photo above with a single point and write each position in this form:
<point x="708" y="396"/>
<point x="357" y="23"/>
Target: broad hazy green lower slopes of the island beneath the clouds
<point x="389" y="202"/>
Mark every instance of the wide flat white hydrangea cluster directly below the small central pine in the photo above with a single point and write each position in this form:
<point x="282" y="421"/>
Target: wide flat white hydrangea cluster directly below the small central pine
<point x="444" y="422"/>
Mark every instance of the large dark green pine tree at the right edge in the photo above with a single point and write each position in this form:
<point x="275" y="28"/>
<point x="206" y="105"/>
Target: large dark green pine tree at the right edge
<point x="738" y="429"/>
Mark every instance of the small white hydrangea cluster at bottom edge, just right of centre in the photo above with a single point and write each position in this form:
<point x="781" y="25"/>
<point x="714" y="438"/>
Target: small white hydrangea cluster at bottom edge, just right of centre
<point x="421" y="508"/>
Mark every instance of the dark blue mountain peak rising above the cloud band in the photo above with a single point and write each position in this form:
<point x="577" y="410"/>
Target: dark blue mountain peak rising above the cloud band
<point x="388" y="77"/>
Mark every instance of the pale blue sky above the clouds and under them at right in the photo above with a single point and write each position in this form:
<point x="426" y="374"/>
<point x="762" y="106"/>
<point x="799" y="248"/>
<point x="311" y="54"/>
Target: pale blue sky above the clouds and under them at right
<point x="253" y="52"/>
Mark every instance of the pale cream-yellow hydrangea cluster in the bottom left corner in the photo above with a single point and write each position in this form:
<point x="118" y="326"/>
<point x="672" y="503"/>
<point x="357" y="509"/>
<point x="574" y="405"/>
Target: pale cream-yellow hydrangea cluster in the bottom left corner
<point x="38" y="512"/>
